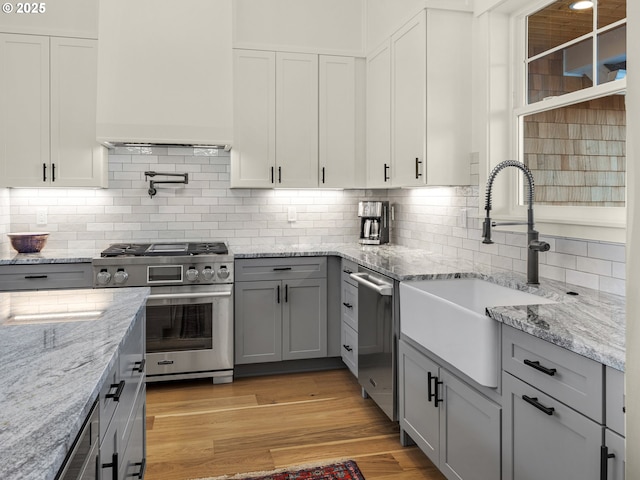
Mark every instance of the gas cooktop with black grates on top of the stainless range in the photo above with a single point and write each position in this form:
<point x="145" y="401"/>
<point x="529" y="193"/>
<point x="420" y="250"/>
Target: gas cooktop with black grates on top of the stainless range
<point x="169" y="249"/>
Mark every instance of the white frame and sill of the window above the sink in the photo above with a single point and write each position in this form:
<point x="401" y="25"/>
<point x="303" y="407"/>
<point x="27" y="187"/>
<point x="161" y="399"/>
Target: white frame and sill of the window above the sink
<point x="595" y="223"/>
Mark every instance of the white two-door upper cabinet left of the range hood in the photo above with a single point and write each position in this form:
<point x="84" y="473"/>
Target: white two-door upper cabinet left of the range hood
<point x="47" y="114"/>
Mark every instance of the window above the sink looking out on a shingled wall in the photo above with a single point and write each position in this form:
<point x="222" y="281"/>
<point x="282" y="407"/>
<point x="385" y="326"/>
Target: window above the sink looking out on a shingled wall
<point x="570" y="110"/>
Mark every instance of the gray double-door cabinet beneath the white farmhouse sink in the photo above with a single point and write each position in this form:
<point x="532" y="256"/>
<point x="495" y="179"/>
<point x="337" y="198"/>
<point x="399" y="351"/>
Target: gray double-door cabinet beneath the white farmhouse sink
<point x="451" y="422"/>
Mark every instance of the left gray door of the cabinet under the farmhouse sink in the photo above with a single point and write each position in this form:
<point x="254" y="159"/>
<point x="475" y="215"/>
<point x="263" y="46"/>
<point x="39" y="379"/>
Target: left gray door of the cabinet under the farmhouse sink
<point x="419" y="416"/>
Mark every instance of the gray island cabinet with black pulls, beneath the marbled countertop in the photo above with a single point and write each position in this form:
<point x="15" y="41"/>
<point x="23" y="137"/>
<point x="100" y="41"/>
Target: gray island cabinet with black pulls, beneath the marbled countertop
<point x="122" y="403"/>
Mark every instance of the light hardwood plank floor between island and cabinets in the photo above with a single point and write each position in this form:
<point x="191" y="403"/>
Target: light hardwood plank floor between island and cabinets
<point x="196" y="429"/>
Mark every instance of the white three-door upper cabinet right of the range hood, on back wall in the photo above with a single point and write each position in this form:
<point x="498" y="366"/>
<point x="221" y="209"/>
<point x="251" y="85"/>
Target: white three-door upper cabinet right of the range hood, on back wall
<point x="298" y="120"/>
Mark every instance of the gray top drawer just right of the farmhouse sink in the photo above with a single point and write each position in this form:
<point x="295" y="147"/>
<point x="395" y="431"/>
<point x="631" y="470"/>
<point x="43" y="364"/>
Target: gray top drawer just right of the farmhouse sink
<point x="575" y="380"/>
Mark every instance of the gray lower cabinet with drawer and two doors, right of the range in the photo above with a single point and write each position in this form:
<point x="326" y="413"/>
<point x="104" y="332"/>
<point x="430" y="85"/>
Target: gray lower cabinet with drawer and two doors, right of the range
<point x="283" y="314"/>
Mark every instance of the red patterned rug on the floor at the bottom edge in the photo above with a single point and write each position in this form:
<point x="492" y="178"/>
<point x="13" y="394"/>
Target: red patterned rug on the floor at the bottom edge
<point x="346" y="470"/>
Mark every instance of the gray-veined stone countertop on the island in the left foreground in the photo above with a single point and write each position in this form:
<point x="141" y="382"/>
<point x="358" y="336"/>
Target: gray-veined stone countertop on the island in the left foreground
<point x="55" y="361"/>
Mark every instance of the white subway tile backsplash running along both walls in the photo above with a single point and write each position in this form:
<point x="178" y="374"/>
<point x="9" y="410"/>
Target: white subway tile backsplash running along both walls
<point x="207" y="208"/>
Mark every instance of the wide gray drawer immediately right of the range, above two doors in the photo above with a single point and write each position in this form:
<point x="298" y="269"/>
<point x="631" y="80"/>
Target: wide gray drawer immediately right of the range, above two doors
<point x="249" y="270"/>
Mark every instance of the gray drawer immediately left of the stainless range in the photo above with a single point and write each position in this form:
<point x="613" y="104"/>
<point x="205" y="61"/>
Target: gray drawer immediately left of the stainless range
<point x="45" y="277"/>
